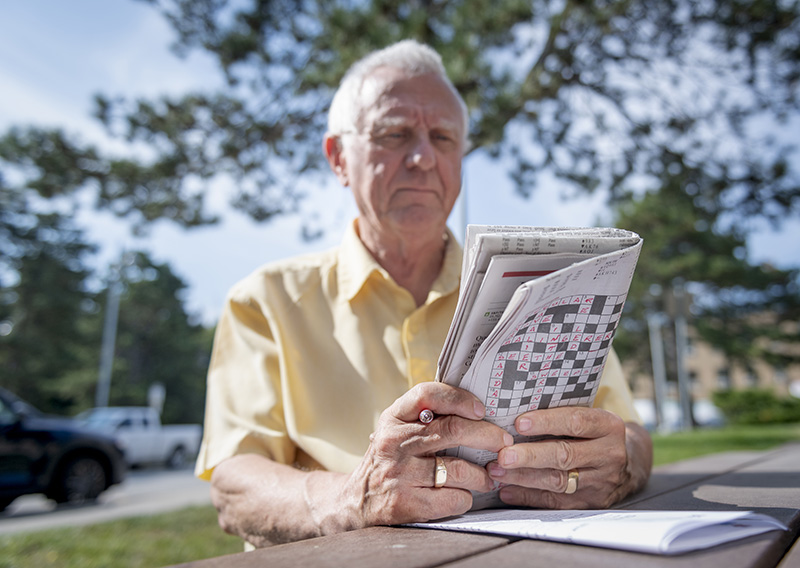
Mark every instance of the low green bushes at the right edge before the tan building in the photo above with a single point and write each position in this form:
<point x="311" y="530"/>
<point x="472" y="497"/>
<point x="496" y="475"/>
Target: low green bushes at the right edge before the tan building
<point x="757" y="406"/>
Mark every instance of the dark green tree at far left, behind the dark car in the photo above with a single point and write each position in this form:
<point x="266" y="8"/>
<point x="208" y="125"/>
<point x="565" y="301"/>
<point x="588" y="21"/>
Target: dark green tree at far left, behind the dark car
<point x="46" y="306"/>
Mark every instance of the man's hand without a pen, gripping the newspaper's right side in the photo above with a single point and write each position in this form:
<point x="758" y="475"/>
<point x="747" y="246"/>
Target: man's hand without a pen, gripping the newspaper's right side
<point x="612" y="458"/>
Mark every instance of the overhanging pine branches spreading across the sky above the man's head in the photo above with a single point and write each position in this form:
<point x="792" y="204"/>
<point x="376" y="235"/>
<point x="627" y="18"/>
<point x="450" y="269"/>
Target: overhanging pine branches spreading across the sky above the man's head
<point x="600" y="93"/>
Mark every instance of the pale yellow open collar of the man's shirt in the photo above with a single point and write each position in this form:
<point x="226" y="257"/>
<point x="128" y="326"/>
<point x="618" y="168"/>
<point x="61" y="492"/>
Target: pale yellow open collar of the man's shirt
<point x="357" y="265"/>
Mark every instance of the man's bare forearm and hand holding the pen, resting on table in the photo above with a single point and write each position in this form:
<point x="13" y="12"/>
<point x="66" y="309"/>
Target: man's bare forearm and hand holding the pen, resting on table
<point x="266" y="503"/>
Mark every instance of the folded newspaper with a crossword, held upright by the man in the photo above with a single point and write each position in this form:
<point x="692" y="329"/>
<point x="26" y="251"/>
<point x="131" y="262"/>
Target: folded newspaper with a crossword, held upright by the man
<point x="536" y="315"/>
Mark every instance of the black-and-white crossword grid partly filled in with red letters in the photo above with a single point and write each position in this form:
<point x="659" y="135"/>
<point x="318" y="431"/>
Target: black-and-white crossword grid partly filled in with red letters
<point x="555" y="357"/>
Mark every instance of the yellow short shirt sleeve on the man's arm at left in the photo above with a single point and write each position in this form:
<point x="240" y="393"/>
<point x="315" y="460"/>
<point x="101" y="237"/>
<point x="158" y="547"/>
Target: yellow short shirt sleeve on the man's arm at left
<point x="244" y="411"/>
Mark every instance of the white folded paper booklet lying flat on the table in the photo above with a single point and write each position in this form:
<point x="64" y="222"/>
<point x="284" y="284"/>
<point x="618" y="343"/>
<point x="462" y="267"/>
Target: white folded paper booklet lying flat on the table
<point x="655" y="532"/>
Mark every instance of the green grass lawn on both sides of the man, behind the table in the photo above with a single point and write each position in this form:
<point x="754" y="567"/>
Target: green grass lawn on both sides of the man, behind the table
<point x="193" y="534"/>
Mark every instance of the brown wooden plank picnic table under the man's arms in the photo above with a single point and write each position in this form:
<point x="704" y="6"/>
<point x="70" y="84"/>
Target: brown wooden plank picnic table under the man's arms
<point x="765" y="482"/>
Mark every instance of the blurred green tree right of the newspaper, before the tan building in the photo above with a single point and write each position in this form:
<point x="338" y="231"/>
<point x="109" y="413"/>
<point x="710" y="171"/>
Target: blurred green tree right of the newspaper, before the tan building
<point x="748" y="311"/>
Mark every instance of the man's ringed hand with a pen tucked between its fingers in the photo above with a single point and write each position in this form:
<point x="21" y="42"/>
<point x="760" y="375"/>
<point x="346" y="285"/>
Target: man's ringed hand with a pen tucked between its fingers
<point x="394" y="482"/>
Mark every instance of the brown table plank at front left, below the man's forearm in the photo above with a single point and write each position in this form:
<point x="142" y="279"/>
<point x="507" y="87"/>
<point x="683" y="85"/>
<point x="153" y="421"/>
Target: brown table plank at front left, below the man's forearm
<point x="376" y="546"/>
